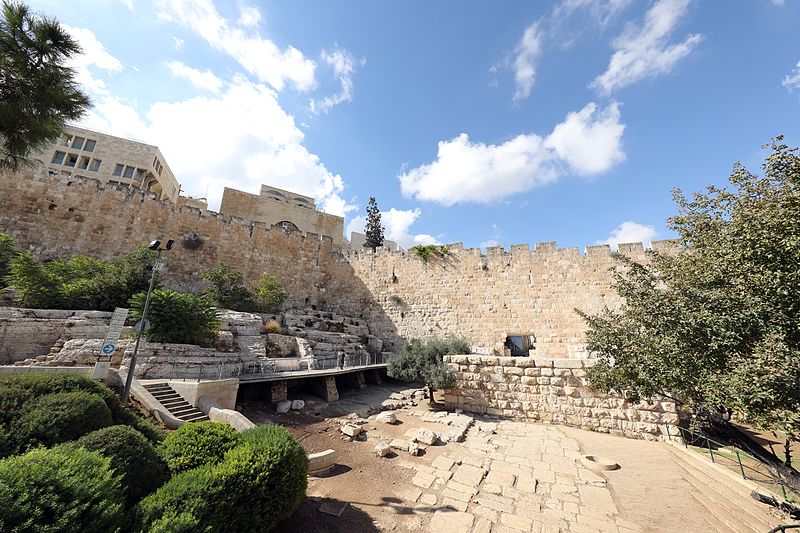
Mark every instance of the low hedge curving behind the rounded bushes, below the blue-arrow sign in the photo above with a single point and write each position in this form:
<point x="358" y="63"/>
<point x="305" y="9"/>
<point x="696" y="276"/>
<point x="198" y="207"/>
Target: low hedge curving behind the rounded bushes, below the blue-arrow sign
<point x="17" y="390"/>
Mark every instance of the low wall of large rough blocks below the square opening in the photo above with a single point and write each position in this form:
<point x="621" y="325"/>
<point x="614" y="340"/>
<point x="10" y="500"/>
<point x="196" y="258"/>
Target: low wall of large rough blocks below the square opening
<point x="550" y="391"/>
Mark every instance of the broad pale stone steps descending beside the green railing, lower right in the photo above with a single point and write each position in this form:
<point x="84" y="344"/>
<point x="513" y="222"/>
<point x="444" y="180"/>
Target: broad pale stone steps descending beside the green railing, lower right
<point x="725" y="495"/>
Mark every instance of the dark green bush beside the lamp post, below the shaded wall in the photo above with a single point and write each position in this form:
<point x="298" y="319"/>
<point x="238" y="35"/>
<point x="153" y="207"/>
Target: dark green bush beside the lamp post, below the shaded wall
<point x="177" y="317"/>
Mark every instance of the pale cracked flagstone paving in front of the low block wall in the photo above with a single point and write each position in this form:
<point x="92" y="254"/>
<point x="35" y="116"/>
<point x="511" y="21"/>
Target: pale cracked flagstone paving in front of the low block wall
<point x="510" y="477"/>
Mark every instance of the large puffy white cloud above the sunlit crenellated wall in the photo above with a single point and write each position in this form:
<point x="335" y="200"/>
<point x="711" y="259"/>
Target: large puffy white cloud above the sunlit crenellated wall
<point x="587" y="142"/>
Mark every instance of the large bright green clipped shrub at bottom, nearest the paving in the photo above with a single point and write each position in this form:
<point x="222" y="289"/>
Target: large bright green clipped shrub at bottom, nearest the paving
<point x="257" y="485"/>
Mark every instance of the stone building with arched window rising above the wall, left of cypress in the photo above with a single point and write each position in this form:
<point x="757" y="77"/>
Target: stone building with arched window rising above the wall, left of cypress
<point x="286" y="209"/>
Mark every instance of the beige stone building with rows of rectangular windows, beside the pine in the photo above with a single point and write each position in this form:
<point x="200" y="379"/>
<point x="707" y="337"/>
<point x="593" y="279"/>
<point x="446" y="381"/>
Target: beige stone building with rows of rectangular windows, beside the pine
<point x="110" y="159"/>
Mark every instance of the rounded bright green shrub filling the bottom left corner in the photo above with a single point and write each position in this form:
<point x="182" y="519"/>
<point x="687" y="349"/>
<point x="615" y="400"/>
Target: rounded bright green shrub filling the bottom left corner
<point x="61" y="489"/>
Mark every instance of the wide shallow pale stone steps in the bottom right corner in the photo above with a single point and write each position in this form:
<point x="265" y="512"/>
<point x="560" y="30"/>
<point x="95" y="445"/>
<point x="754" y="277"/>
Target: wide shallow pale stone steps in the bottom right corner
<point x="728" y="503"/>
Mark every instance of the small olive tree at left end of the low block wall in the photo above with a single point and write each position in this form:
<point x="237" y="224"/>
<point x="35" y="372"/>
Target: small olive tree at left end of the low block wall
<point x="422" y="361"/>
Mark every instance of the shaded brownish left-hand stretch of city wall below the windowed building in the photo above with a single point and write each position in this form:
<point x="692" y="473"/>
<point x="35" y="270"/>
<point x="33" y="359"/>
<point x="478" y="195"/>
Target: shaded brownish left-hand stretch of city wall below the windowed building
<point x="58" y="216"/>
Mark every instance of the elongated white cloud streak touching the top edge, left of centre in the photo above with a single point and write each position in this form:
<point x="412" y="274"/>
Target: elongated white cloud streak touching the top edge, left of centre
<point x="259" y="56"/>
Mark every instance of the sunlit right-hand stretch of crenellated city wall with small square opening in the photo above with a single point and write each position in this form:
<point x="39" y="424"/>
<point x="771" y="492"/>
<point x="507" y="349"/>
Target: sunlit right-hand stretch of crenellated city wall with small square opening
<point x="483" y="297"/>
